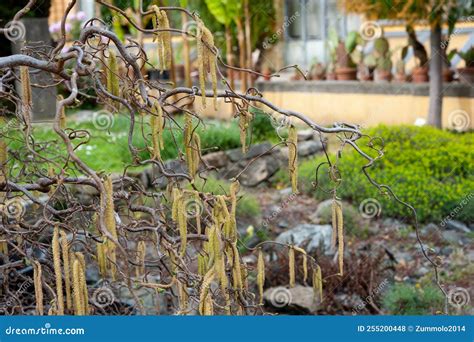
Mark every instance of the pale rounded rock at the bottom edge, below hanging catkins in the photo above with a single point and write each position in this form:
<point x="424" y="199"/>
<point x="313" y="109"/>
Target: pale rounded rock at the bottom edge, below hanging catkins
<point x="299" y="299"/>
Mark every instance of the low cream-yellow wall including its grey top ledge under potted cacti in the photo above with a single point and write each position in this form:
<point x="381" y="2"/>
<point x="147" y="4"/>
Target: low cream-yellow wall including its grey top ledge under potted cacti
<point x="364" y="103"/>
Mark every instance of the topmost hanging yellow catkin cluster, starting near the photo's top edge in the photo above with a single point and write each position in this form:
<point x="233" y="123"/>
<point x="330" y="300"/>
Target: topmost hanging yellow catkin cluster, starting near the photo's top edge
<point x="160" y="21"/>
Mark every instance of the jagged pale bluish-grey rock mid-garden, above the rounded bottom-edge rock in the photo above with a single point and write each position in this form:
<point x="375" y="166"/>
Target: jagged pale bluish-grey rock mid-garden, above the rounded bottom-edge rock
<point x="309" y="236"/>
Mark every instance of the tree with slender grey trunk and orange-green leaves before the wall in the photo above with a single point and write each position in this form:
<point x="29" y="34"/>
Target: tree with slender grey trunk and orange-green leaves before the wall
<point x="436" y="13"/>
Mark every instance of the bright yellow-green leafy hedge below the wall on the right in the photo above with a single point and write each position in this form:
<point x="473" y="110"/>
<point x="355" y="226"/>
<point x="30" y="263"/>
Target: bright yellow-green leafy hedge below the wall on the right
<point x="431" y="169"/>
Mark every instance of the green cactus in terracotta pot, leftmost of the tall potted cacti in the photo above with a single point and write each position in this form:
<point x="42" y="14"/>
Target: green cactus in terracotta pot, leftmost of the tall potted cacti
<point x="345" y="67"/>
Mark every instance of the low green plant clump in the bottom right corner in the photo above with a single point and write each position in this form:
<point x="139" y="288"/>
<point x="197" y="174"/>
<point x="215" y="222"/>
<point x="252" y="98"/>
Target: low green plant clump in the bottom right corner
<point x="406" y="299"/>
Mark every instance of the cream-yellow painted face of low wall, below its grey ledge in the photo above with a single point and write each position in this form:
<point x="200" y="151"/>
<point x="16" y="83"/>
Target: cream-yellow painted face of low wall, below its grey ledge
<point x="363" y="109"/>
